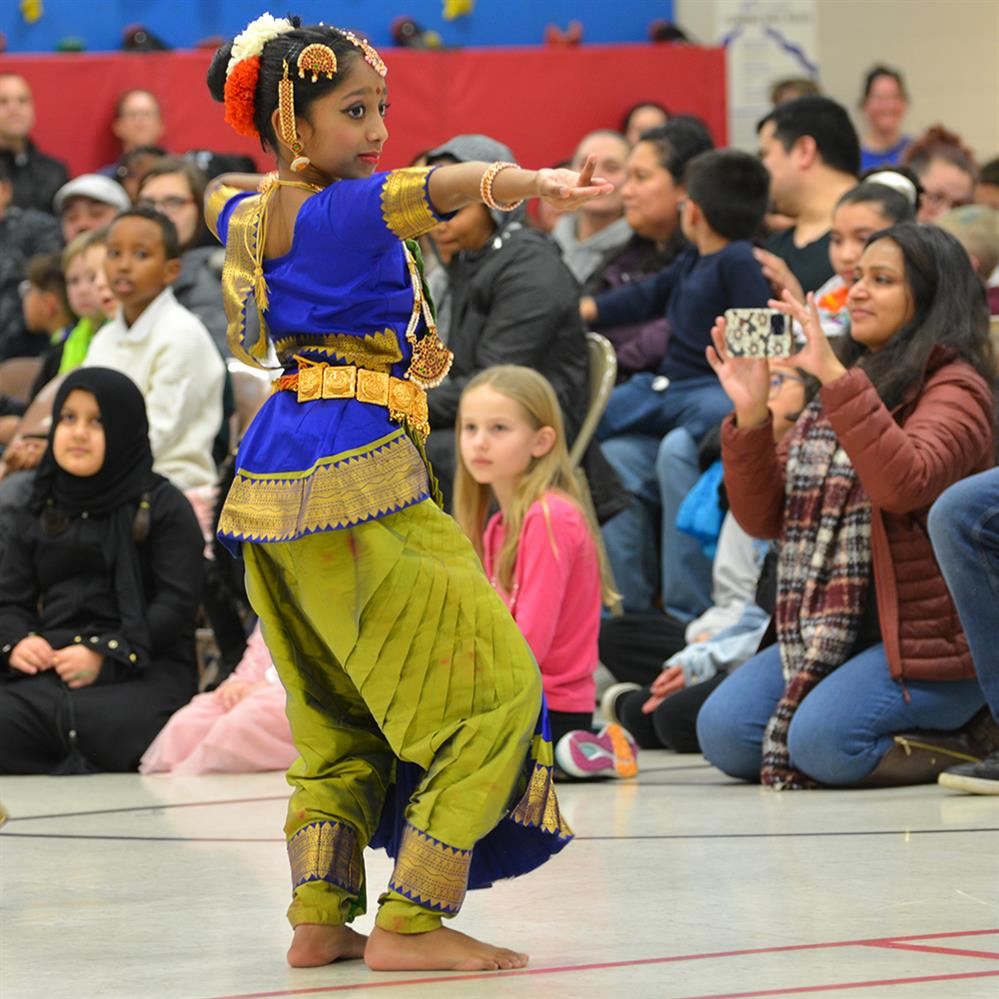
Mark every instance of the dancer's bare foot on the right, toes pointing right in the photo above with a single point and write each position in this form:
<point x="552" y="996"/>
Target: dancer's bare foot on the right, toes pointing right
<point x="438" y="950"/>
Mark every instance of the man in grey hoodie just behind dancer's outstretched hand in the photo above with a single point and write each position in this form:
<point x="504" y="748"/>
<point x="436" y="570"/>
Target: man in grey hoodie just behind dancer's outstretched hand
<point x="598" y="227"/>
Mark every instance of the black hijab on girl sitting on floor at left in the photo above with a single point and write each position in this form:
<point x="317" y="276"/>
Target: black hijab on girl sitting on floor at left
<point x="115" y="499"/>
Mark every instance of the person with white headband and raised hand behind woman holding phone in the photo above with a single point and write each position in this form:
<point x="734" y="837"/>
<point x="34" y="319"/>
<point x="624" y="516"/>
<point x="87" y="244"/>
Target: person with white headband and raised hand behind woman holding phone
<point x="881" y="200"/>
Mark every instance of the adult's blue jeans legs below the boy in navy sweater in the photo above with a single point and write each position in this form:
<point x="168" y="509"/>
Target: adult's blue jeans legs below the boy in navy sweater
<point x="658" y="474"/>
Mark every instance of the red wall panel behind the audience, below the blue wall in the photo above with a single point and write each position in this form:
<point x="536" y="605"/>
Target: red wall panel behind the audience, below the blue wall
<point x="539" y="101"/>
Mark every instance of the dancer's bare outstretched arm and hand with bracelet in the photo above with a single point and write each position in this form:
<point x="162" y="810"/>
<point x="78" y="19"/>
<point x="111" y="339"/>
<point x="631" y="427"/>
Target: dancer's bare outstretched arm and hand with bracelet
<point x="457" y="184"/>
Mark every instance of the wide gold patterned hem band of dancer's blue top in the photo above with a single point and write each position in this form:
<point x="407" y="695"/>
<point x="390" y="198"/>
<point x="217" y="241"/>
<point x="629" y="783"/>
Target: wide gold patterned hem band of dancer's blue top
<point x="340" y="491"/>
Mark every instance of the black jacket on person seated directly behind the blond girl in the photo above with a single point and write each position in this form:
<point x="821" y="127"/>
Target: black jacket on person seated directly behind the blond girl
<point x="514" y="302"/>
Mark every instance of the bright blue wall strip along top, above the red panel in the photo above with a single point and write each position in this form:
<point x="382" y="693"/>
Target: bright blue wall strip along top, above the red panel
<point x="183" y="23"/>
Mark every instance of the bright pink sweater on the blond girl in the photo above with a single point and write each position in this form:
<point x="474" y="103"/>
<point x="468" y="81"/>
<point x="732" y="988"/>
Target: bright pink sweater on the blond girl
<point x="556" y="597"/>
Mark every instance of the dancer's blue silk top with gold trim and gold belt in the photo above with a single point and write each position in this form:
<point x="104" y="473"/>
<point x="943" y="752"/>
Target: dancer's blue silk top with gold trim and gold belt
<point x="346" y="313"/>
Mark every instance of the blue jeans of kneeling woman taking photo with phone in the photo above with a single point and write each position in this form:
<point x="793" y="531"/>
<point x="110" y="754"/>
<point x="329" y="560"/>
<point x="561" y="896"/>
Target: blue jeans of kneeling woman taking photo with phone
<point x="841" y="729"/>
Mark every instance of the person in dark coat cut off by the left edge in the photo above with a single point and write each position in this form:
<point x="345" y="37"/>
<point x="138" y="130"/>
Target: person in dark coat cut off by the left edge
<point x="24" y="233"/>
